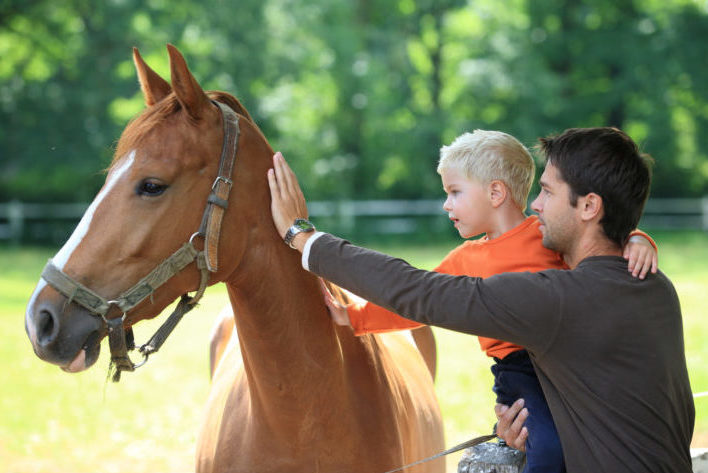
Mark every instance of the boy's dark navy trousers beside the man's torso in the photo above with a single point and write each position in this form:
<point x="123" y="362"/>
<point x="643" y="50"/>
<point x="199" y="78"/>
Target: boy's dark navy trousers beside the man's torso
<point x="514" y="378"/>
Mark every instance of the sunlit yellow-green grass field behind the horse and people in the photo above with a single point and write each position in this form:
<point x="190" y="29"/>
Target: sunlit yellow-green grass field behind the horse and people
<point x="51" y="421"/>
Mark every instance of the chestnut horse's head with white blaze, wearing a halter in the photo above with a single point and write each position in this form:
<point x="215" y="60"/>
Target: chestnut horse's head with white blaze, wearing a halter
<point x="152" y="232"/>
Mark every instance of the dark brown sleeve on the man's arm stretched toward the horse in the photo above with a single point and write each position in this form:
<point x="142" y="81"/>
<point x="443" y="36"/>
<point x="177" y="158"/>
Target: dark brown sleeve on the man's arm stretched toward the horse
<point x="522" y="308"/>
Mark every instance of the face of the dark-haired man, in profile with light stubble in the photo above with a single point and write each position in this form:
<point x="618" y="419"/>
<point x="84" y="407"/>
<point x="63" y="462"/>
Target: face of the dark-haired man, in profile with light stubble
<point x="559" y="220"/>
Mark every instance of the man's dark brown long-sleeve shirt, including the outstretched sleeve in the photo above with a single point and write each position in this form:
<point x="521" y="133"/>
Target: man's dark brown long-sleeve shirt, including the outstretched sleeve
<point x="608" y="348"/>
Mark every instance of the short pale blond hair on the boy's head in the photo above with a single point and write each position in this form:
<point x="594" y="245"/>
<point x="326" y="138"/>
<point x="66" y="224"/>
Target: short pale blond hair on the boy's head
<point x="491" y="155"/>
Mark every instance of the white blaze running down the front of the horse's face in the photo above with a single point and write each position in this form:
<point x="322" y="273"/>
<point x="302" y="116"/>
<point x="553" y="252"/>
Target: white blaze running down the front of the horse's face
<point x="62" y="257"/>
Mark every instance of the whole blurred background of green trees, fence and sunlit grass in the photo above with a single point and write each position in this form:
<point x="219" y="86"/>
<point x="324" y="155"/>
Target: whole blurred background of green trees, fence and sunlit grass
<point x="359" y="95"/>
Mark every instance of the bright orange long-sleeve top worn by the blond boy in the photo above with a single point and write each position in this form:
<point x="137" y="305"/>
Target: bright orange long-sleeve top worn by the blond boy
<point x="517" y="250"/>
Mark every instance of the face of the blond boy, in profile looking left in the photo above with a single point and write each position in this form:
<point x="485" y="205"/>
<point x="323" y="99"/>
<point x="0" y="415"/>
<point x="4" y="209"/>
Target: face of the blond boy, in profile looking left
<point x="467" y="203"/>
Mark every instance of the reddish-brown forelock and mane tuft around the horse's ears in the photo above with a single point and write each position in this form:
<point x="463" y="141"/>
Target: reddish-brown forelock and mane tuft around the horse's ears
<point x="151" y="117"/>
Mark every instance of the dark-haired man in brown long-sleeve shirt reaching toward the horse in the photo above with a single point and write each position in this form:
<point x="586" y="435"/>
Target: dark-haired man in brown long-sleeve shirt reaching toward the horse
<point x="607" y="348"/>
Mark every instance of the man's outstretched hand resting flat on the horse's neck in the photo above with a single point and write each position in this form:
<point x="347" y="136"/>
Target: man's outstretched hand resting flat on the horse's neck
<point x="287" y="200"/>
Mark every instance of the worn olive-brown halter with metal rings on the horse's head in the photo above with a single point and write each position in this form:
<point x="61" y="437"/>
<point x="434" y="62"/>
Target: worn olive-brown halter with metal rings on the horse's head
<point x="120" y="339"/>
